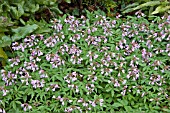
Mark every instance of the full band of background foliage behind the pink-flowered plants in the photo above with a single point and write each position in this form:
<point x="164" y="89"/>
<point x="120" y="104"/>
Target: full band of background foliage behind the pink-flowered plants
<point x="31" y="16"/>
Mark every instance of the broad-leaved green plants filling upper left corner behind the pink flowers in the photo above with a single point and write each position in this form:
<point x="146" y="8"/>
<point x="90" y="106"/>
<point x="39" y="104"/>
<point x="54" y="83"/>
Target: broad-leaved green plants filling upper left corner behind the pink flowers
<point x="19" y="18"/>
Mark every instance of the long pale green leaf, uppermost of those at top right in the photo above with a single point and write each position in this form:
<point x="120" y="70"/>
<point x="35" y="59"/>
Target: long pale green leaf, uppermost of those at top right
<point x="150" y="3"/>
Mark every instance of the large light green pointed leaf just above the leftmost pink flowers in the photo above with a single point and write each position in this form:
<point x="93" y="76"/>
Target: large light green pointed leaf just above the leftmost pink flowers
<point x="21" y="32"/>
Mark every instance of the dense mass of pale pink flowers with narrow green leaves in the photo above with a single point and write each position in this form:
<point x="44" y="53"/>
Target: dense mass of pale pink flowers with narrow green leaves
<point x="90" y="64"/>
